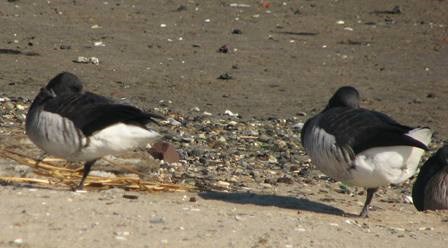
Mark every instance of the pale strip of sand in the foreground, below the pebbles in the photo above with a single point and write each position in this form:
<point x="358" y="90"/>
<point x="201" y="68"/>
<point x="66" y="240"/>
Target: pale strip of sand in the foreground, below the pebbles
<point x="49" y="218"/>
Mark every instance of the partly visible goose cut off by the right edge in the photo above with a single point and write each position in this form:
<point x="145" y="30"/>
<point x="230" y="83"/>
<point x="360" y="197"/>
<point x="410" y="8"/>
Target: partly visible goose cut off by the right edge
<point x="430" y="191"/>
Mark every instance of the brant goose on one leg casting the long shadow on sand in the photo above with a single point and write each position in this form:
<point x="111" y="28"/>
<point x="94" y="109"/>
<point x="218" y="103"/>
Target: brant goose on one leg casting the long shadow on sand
<point x="362" y="147"/>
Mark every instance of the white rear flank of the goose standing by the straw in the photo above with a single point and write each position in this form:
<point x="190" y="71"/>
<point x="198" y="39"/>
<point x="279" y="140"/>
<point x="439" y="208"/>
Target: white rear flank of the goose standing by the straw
<point x="116" y="139"/>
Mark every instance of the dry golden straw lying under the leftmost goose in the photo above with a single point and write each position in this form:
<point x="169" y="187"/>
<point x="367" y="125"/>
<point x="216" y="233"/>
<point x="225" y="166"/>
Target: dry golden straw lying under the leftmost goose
<point x="54" y="175"/>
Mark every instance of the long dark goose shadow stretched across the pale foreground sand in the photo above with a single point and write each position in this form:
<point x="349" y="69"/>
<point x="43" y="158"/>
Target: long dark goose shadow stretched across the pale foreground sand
<point x="272" y="200"/>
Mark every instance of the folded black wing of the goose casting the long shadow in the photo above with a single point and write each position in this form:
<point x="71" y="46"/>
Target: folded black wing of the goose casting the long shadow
<point x="362" y="129"/>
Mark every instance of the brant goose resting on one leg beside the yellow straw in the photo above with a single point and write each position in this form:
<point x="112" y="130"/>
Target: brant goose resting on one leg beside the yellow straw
<point x="77" y="125"/>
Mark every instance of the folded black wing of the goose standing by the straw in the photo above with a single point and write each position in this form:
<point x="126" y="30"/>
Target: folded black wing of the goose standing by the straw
<point x="90" y="112"/>
